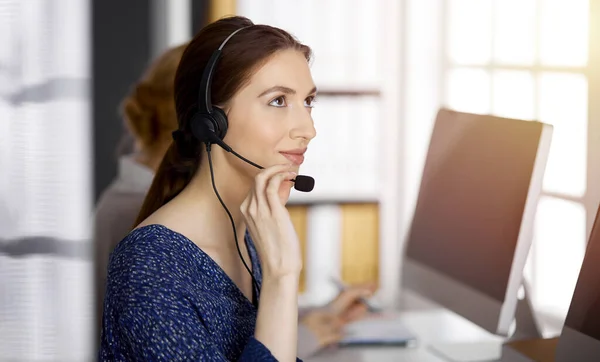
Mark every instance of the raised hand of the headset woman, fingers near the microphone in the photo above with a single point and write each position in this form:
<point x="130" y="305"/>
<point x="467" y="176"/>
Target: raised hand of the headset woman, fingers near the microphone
<point x="270" y="226"/>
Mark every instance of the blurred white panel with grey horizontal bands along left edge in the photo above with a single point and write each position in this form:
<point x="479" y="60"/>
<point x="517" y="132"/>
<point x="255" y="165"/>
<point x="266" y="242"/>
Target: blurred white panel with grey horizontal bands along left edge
<point x="45" y="181"/>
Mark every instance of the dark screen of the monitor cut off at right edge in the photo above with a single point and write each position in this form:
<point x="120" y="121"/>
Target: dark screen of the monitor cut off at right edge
<point x="584" y="312"/>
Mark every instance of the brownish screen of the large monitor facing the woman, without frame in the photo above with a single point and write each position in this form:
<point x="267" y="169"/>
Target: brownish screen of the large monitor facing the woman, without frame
<point x="472" y="197"/>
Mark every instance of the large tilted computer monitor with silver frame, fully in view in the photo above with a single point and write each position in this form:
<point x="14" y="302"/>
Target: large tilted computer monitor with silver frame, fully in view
<point x="473" y="222"/>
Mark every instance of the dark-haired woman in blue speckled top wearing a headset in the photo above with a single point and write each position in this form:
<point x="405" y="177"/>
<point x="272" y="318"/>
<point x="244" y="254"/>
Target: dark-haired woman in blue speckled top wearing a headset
<point x="177" y="288"/>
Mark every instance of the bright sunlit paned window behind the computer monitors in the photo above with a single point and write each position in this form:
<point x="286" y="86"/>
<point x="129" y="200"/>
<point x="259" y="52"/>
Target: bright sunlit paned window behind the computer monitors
<point x="528" y="59"/>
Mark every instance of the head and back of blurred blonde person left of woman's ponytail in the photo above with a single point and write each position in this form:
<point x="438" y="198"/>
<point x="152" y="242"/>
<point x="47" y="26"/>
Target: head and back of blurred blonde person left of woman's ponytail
<point x="148" y="112"/>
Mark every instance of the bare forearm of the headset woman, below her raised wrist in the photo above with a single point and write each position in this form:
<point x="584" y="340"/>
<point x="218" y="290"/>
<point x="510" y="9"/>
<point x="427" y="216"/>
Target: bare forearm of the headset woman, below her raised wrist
<point x="277" y="320"/>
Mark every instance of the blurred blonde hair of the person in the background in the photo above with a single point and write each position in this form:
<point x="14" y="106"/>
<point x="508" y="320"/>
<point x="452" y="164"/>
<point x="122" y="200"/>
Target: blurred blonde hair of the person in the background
<point x="148" y="109"/>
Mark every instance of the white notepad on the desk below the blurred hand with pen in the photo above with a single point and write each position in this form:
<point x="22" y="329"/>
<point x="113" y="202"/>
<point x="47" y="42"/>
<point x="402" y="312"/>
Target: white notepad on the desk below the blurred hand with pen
<point x="385" y="328"/>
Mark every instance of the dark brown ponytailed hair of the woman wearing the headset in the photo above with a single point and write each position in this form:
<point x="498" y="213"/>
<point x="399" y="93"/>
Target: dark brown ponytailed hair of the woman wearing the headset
<point x="242" y="55"/>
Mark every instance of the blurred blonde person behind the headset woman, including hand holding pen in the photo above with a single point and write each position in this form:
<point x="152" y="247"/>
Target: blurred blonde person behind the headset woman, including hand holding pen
<point x="150" y="118"/>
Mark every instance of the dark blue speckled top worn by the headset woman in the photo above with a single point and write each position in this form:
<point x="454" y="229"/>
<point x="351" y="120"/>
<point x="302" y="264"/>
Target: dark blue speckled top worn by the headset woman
<point x="166" y="300"/>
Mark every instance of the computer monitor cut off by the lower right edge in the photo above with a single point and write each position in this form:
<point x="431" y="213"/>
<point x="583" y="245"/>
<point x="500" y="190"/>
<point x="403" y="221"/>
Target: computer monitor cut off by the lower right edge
<point x="580" y="337"/>
